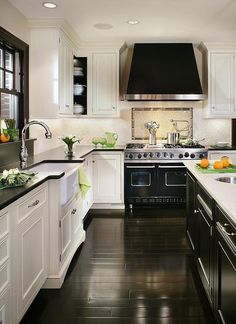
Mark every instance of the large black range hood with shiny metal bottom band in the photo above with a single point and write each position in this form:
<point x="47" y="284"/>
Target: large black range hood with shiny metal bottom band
<point x="164" y="71"/>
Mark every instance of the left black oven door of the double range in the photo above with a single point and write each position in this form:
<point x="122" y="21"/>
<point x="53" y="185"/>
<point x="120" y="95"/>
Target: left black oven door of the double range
<point x="140" y="181"/>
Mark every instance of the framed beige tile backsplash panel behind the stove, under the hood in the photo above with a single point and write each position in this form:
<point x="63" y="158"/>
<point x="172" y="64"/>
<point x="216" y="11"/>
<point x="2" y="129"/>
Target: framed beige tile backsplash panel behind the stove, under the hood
<point x="163" y="116"/>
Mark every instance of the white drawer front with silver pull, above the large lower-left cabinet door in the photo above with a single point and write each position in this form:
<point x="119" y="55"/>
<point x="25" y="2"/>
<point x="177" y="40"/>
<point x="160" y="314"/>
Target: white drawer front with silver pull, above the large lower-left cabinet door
<point x="31" y="204"/>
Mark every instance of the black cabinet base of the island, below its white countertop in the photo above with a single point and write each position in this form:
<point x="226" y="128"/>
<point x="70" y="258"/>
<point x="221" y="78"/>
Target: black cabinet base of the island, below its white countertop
<point x="214" y="250"/>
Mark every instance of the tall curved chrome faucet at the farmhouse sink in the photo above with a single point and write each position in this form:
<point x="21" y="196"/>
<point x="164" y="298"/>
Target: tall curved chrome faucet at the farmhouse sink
<point x="23" y="148"/>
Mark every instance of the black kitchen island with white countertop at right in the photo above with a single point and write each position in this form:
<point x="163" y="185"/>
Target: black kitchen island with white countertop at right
<point x="211" y="230"/>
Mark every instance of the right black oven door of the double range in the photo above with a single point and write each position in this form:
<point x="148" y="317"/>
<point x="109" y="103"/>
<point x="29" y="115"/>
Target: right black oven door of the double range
<point x="172" y="179"/>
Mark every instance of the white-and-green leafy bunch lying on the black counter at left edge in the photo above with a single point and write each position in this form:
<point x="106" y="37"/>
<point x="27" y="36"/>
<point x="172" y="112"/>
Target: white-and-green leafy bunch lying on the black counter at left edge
<point x="14" y="178"/>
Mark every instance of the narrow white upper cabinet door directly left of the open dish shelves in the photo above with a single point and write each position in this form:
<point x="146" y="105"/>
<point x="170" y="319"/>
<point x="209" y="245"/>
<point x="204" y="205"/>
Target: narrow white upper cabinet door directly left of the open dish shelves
<point x="66" y="77"/>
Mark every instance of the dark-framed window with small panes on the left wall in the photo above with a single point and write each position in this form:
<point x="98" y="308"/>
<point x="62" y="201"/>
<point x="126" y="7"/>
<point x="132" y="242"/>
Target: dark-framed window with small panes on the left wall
<point x="14" y="94"/>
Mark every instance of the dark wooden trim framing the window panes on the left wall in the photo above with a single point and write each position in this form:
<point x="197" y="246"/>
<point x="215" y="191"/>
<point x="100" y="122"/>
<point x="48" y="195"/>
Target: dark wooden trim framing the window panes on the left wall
<point x="15" y="43"/>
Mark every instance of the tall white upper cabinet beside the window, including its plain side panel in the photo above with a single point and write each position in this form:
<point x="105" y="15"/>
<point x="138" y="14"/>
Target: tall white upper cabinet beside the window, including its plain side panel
<point x="50" y="71"/>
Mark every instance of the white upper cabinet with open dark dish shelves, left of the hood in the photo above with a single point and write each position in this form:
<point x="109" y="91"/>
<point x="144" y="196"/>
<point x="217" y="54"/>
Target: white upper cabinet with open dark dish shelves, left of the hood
<point x="96" y="81"/>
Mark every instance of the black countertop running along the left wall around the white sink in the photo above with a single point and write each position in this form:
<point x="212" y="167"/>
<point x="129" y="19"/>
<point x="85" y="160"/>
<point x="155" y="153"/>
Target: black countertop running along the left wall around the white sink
<point x="7" y="196"/>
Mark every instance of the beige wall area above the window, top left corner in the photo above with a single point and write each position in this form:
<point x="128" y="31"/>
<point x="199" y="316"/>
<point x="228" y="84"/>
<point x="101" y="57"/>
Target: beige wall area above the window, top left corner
<point x="13" y="21"/>
